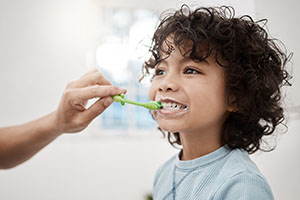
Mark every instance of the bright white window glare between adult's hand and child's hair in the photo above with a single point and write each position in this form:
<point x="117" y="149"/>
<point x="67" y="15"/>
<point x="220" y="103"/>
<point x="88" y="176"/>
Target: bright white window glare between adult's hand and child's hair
<point x="133" y="44"/>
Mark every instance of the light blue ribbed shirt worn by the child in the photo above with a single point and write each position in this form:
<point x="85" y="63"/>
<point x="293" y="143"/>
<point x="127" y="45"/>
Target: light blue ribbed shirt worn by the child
<point x="224" y="174"/>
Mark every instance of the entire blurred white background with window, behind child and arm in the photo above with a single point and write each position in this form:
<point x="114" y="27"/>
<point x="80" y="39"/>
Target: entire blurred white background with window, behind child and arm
<point x="44" y="44"/>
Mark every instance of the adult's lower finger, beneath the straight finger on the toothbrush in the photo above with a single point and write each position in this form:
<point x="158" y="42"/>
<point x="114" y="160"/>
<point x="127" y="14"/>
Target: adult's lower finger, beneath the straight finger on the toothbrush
<point x="97" y="108"/>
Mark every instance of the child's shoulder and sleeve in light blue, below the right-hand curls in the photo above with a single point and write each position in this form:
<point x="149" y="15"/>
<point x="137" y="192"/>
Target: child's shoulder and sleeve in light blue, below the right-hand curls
<point x="240" y="179"/>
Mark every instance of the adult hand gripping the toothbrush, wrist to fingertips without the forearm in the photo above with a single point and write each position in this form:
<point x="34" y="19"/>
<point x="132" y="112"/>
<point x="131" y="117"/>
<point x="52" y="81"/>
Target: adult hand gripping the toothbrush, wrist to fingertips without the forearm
<point x="71" y="115"/>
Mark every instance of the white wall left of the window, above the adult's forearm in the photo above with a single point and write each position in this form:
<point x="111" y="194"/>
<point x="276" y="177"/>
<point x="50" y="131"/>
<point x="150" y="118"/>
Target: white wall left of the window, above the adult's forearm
<point x="43" y="46"/>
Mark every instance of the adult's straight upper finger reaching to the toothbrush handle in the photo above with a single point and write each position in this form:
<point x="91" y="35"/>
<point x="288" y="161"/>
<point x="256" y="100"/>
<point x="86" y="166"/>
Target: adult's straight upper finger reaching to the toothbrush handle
<point x="94" y="91"/>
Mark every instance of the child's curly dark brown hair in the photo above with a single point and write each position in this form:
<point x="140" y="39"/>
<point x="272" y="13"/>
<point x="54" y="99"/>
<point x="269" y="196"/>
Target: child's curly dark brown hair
<point x="254" y="67"/>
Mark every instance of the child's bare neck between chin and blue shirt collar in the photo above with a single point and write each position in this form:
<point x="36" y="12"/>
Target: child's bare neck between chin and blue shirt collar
<point x="199" y="144"/>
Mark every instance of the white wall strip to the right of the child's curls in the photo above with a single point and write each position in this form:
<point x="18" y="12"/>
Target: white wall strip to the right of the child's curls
<point x="281" y="167"/>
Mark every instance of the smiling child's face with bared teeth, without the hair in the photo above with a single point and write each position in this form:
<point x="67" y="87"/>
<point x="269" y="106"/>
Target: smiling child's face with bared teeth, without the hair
<point x="193" y="95"/>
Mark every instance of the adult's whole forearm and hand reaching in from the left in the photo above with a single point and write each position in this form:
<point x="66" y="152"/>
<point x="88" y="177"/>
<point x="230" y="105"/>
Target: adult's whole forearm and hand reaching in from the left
<point x="19" y="143"/>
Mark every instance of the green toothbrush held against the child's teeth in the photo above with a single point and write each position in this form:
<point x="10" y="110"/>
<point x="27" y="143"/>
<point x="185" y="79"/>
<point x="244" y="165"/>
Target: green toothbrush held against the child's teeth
<point x="152" y="105"/>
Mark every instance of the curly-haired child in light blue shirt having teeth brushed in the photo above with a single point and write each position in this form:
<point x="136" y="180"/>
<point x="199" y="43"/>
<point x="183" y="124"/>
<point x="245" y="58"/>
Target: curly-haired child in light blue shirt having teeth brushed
<point x="218" y="78"/>
